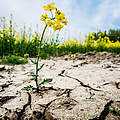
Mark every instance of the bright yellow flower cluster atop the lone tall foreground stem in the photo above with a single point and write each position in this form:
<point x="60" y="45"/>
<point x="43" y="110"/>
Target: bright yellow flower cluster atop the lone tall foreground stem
<point x="57" y="20"/>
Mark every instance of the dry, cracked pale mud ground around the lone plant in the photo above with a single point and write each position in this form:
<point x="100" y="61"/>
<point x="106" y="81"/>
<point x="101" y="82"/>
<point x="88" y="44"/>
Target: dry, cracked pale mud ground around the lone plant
<point x="82" y="89"/>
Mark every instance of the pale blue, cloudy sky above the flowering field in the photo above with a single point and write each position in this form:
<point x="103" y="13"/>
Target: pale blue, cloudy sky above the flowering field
<point x="84" y="16"/>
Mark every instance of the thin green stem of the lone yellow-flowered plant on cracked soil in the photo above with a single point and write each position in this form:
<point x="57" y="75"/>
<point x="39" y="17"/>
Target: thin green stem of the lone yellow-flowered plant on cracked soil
<point x="38" y="57"/>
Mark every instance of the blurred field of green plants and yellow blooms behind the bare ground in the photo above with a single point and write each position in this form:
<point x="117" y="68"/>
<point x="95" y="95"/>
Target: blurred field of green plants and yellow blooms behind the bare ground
<point x="15" y="41"/>
